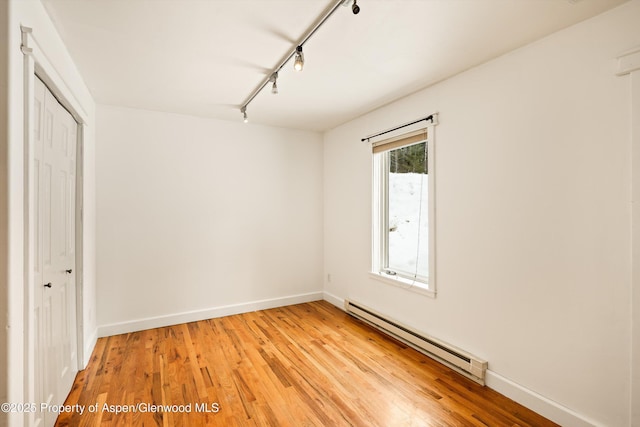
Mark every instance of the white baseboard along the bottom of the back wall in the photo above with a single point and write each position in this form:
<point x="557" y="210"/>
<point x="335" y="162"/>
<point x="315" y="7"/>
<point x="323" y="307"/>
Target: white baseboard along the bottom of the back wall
<point x="209" y="313"/>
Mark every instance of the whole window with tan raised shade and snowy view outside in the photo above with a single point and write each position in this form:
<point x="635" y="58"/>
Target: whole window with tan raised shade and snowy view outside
<point x="403" y="211"/>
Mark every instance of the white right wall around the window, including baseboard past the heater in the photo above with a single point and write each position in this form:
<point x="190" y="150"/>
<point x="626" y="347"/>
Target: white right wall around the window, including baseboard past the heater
<point x="533" y="219"/>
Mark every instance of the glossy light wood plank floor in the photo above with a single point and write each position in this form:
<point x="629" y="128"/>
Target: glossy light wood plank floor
<point x="302" y="365"/>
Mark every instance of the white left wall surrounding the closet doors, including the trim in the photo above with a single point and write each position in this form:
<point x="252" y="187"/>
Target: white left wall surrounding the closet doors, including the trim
<point x="30" y="13"/>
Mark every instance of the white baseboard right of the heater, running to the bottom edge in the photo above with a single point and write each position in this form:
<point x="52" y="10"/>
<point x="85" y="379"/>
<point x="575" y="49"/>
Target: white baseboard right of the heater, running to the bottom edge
<point x="536" y="402"/>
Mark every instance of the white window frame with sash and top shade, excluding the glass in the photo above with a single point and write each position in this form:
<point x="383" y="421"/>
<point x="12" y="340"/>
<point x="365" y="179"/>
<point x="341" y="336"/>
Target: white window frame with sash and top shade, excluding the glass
<point x="380" y="210"/>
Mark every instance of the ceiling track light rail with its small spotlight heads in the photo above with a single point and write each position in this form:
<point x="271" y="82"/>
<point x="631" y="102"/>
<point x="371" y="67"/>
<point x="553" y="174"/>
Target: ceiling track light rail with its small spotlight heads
<point x="298" y="62"/>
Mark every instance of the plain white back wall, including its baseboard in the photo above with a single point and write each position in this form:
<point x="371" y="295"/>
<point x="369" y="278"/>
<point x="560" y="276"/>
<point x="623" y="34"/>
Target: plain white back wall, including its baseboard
<point x="199" y="218"/>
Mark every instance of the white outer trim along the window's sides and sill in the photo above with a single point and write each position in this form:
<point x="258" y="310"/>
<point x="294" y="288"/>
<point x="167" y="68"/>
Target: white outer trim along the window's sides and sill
<point x="379" y="212"/>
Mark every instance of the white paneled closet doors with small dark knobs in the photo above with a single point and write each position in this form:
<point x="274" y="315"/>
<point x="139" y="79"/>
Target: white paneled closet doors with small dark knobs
<point x="55" y="293"/>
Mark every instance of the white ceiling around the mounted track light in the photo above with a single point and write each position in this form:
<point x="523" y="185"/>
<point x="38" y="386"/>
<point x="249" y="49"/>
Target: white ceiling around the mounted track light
<point x="205" y="57"/>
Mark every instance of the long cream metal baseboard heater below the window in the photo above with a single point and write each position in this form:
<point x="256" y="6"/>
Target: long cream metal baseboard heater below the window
<point x="458" y="360"/>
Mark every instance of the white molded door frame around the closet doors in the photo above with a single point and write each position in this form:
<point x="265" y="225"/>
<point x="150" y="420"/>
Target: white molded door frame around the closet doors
<point x="36" y="63"/>
